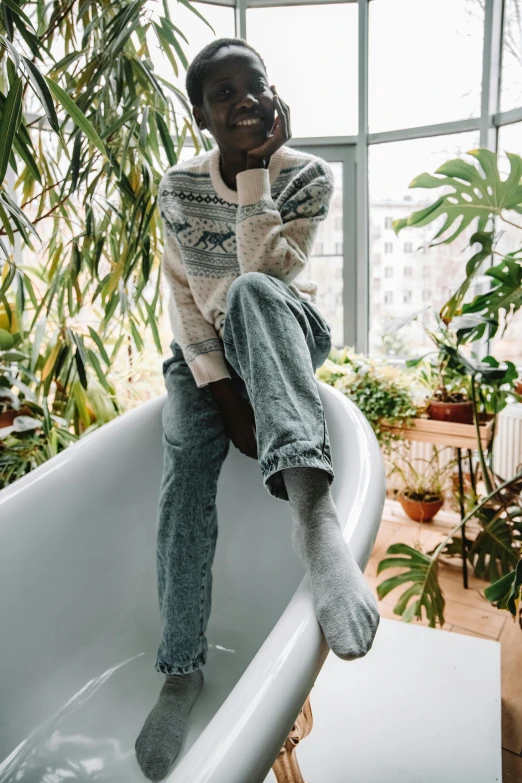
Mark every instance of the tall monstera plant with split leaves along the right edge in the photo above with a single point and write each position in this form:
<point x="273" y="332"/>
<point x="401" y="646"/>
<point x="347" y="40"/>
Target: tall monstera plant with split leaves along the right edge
<point x="477" y="194"/>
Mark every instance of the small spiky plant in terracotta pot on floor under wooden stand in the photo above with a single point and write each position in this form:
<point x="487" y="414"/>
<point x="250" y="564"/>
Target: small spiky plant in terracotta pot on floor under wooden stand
<point x="422" y="495"/>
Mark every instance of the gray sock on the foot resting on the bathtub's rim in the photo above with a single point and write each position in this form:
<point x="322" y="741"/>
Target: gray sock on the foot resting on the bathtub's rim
<point x="345" y="606"/>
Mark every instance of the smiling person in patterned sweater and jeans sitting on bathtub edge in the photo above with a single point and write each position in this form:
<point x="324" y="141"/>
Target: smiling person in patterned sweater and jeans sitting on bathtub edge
<point x="240" y="223"/>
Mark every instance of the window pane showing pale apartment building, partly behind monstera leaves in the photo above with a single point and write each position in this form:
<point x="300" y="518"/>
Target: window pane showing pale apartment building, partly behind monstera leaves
<point x="392" y="166"/>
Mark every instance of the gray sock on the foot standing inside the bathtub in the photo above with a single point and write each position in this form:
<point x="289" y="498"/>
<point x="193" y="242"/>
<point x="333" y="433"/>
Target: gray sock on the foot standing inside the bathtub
<point x="159" y="741"/>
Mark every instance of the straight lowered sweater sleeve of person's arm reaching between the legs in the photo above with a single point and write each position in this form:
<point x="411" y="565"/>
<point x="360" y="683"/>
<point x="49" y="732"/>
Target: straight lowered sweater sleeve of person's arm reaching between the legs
<point x="196" y="337"/>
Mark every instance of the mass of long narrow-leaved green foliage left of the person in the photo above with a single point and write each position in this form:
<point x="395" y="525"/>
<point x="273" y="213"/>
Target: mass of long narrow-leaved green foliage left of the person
<point x="87" y="128"/>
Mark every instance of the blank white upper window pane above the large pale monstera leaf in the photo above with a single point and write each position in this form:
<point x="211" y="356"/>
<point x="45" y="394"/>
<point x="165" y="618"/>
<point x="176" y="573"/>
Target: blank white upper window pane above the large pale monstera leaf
<point x="425" y="62"/>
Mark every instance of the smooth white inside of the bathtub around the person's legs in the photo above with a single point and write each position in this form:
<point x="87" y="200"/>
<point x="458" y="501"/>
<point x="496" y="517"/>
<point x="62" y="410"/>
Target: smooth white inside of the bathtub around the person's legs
<point x="77" y="573"/>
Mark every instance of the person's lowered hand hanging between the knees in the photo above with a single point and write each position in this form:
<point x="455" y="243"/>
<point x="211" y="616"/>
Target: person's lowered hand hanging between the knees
<point x="238" y="416"/>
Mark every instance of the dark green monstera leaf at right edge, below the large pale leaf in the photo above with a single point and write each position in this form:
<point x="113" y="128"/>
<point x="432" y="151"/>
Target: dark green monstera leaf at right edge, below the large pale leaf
<point x="505" y="293"/>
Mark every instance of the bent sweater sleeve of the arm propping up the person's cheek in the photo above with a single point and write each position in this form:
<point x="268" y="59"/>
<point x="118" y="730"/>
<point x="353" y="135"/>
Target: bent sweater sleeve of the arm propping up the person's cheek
<point x="276" y="241"/>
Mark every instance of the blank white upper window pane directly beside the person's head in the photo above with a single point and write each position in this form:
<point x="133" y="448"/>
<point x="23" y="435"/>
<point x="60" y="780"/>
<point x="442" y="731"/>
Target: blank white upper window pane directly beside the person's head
<point x="311" y="56"/>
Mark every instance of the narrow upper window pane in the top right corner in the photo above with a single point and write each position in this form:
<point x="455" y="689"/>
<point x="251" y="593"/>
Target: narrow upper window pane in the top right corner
<point x="511" y="94"/>
